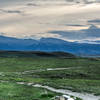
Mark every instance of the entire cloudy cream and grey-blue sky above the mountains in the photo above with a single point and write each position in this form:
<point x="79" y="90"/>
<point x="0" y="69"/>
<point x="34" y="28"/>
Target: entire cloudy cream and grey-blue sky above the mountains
<point x="65" y="19"/>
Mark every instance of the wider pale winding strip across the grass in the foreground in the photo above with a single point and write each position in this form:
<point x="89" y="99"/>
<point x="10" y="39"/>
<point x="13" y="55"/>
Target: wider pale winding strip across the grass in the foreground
<point x="84" y="96"/>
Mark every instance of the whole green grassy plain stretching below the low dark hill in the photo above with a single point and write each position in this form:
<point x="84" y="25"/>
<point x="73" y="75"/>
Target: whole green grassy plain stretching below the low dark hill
<point x="82" y="75"/>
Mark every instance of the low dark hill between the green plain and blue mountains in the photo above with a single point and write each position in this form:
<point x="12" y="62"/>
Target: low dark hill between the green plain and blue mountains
<point x="35" y="54"/>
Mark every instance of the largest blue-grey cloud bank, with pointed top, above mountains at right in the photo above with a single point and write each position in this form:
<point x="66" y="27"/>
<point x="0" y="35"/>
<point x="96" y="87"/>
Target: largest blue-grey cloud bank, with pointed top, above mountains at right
<point x="91" y="32"/>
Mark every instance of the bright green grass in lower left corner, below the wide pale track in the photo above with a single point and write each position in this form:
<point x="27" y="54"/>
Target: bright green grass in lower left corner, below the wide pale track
<point x="12" y="91"/>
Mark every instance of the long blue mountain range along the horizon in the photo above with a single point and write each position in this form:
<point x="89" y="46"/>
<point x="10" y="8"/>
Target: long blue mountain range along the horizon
<point x="48" y="45"/>
